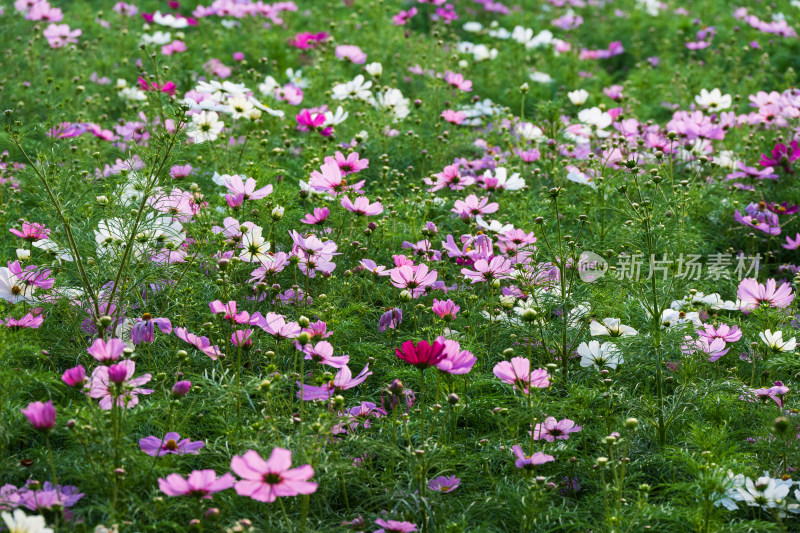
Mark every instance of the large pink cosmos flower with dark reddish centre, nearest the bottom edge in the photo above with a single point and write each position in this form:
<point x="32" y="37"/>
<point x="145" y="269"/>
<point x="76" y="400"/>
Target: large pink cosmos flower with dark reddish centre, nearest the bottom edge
<point x="265" y="481"/>
